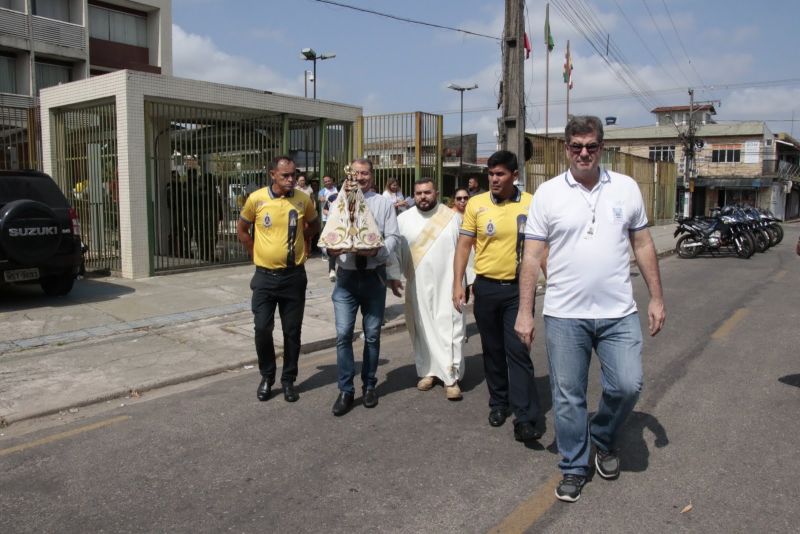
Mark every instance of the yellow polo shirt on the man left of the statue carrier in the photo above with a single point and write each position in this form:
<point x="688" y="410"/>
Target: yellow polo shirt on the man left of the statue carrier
<point x="278" y="223"/>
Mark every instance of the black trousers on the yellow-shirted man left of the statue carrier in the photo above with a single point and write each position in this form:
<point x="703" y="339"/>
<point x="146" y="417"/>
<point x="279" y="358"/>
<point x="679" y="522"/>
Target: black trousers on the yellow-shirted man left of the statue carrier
<point x="285" y="289"/>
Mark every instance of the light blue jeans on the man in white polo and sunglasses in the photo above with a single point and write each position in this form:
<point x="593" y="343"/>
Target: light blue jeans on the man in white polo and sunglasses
<point x="618" y="344"/>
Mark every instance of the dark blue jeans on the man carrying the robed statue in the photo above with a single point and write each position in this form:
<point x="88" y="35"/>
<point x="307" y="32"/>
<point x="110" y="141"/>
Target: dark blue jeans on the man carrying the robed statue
<point x="365" y="290"/>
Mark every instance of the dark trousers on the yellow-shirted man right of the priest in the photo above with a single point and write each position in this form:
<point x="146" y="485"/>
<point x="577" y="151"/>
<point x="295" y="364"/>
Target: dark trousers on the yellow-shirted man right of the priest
<point x="506" y="360"/>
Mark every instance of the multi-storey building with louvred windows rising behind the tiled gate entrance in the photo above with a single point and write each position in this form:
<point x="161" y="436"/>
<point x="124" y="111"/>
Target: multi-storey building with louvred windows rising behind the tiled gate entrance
<point x="48" y="42"/>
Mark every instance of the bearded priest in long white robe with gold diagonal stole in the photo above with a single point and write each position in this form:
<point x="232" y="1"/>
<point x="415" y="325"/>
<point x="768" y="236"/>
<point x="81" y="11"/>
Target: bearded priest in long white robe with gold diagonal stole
<point x="429" y="232"/>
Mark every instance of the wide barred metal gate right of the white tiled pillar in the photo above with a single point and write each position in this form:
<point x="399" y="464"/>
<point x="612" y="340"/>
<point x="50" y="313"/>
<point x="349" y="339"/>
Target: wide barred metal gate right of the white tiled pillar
<point x="203" y="163"/>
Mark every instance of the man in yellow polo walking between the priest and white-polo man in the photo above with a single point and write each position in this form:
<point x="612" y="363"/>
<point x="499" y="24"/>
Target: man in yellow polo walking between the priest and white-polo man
<point x="494" y="222"/>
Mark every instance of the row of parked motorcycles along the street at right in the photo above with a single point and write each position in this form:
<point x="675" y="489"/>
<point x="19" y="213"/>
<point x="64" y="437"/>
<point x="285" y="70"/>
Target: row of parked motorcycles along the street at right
<point x="731" y="229"/>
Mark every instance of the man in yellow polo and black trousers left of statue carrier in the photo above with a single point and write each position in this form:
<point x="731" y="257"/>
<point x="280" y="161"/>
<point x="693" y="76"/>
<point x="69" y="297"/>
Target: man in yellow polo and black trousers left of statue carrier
<point x="281" y="215"/>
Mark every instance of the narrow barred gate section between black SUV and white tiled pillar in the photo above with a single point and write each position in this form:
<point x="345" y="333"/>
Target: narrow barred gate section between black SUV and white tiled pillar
<point x="84" y="148"/>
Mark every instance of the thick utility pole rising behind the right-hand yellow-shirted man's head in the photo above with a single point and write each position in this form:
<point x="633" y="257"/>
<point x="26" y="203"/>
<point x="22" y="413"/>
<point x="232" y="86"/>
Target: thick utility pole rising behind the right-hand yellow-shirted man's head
<point x="511" y="125"/>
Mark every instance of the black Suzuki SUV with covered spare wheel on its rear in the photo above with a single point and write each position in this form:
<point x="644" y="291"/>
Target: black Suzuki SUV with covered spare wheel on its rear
<point x="40" y="234"/>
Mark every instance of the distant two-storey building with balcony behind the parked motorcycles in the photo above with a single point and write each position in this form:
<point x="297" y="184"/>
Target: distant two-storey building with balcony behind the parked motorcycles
<point x="735" y="162"/>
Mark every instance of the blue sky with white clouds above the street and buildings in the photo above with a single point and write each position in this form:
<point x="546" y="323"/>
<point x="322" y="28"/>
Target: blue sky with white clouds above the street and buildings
<point x="745" y="57"/>
